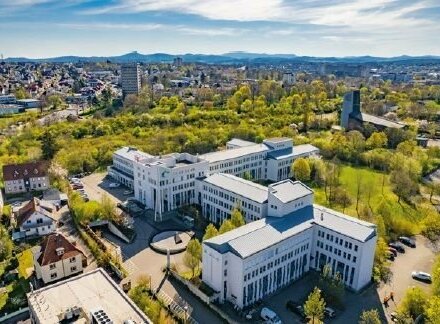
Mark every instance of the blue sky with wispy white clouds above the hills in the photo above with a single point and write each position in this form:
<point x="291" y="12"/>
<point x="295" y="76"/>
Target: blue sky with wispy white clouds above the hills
<point x="49" y="28"/>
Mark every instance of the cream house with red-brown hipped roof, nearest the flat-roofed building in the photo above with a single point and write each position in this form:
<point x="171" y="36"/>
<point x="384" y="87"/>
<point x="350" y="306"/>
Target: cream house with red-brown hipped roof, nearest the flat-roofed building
<point x="57" y="258"/>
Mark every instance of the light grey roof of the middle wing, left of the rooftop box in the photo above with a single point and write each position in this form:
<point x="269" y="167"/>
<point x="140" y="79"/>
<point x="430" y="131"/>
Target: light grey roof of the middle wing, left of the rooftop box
<point x="239" y="186"/>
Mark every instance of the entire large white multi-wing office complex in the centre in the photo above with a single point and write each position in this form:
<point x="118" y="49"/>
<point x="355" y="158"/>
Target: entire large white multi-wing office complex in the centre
<point x="286" y="235"/>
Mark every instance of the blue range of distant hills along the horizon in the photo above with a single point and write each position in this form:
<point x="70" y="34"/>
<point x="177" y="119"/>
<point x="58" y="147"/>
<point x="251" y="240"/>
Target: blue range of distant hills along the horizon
<point x="229" y="58"/>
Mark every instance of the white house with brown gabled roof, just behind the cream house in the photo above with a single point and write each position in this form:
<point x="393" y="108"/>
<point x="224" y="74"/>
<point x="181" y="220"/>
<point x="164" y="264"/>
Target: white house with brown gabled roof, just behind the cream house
<point x="33" y="220"/>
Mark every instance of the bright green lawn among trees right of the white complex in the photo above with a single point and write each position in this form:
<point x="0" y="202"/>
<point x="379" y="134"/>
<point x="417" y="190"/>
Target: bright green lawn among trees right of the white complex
<point x="375" y="193"/>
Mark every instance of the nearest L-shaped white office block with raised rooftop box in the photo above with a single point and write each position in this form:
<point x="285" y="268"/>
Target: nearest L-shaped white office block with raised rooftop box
<point x="255" y="260"/>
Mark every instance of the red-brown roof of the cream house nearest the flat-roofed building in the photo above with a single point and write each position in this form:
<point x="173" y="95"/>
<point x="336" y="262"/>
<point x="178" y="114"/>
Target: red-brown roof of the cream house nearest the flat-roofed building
<point x="51" y="244"/>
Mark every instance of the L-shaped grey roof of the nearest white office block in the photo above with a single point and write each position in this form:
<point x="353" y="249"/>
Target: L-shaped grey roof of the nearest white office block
<point x="260" y="235"/>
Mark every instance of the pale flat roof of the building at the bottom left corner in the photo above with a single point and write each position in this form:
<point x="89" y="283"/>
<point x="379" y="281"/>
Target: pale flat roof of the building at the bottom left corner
<point x="89" y="291"/>
